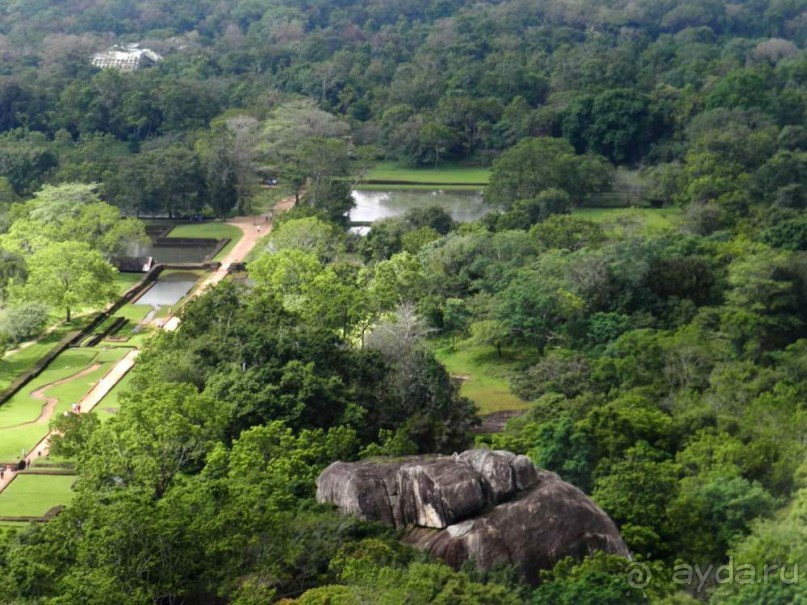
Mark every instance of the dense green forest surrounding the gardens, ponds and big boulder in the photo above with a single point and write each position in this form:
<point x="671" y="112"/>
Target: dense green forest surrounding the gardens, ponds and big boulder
<point x="664" y="368"/>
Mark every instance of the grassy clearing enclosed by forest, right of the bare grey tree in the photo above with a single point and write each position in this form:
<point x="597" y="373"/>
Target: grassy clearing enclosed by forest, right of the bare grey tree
<point x="483" y="374"/>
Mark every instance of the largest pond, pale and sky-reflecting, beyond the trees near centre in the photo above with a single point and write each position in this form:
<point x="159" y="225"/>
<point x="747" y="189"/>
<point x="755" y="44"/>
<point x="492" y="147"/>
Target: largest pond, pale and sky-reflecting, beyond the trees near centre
<point x="372" y="205"/>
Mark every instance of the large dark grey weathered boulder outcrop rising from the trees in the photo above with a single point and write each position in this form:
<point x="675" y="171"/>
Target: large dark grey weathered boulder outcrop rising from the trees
<point x="489" y="506"/>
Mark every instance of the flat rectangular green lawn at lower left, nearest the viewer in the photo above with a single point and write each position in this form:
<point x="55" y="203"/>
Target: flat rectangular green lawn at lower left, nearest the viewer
<point x="34" y="495"/>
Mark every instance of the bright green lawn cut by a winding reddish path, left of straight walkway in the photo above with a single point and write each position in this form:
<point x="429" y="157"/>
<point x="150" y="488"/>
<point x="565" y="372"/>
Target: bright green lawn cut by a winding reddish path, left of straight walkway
<point x="22" y="408"/>
